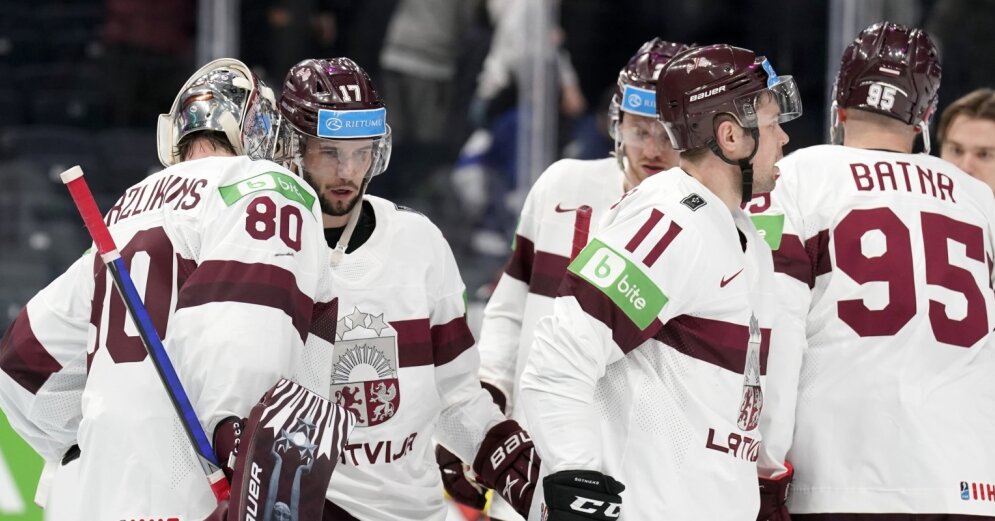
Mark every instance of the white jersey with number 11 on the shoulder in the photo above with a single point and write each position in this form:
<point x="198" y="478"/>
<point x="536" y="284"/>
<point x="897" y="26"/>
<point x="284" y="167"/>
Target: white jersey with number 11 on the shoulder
<point x="651" y="368"/>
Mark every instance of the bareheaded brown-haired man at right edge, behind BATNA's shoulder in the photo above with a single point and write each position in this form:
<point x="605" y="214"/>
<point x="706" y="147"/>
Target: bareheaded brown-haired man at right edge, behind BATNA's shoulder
<point x="967" y="134"/>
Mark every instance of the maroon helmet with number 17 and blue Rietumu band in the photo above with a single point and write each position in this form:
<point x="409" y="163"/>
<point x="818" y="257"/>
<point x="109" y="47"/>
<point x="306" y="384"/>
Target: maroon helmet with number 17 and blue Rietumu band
<point x="335" y="99"/>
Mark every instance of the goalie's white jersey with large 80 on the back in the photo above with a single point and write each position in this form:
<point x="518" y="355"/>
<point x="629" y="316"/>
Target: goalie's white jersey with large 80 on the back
<point x="229" y="256"/>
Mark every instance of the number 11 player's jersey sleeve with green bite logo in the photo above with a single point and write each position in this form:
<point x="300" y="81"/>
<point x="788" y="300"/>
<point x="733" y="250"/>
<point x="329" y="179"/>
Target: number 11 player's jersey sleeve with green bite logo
<point x="630" y="280"/>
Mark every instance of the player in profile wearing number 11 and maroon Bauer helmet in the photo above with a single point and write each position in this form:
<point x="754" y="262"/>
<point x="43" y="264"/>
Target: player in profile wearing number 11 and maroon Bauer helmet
<point x="649" y="375"/>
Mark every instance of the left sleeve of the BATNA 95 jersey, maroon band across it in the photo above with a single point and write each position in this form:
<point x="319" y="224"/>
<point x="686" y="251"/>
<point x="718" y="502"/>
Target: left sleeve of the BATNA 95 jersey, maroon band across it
<point x="795" y="268"/>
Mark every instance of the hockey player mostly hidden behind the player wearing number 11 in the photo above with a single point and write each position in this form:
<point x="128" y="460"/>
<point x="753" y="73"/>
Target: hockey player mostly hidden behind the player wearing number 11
<point x="560" y="213"/>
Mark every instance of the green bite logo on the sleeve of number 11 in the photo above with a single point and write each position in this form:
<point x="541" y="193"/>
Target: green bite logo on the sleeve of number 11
<point x="621" y="281"/>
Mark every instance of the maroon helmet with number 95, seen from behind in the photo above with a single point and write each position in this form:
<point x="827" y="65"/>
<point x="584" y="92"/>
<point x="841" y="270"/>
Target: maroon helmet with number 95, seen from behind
<point x="890" y="69"/>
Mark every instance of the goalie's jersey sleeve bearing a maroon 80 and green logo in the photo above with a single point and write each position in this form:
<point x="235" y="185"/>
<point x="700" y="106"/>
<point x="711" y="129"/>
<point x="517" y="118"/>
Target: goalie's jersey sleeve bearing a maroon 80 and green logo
<point x="243" y="313"/>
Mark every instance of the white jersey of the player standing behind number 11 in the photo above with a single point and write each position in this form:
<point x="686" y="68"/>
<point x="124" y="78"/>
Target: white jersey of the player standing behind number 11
<point x="561" y="212"/>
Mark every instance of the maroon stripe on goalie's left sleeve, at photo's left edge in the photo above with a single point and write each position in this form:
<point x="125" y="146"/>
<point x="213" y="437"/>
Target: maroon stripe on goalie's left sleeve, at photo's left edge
<point x="23" y="357"/>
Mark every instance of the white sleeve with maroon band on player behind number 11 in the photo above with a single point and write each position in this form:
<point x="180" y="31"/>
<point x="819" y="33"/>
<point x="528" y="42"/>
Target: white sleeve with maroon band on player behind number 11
<point x="501" y="330"/>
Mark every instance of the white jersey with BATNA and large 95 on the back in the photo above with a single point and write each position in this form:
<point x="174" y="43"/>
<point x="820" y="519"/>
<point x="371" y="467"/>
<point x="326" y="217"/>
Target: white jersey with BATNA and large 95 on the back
<point x="884" y="270"/>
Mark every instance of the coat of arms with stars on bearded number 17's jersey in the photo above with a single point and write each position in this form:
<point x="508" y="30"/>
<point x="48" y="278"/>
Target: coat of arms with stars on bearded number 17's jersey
<point x="364" y="368"/>
